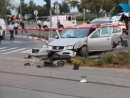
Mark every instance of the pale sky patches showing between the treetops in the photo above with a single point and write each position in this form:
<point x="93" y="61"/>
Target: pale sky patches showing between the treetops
<point x="40" y="2"/>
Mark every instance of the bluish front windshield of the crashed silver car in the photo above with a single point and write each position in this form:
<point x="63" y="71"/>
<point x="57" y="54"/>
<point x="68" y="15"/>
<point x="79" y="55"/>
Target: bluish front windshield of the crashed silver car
<point x="77" y="33"/>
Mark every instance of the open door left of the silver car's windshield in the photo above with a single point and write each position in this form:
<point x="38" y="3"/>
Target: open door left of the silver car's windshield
<point x="53" y="35"/>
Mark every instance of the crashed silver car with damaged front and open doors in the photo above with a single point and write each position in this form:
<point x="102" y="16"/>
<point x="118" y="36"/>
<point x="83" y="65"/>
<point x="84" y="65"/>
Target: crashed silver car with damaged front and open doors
<point x="85" y="38"/>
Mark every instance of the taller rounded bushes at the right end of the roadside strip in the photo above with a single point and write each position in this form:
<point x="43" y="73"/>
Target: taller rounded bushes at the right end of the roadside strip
<point x="120" y="59"/>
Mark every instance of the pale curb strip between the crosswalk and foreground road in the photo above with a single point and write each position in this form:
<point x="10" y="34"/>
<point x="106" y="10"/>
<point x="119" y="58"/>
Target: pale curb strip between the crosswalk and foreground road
<point x="21" y="60"/>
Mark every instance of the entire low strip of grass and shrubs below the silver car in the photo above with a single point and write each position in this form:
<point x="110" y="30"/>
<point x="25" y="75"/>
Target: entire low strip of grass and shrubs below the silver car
<point x="120" y="60"/>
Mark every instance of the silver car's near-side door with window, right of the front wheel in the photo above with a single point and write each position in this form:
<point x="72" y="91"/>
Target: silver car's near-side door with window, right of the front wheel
<point x="100" y="40"/>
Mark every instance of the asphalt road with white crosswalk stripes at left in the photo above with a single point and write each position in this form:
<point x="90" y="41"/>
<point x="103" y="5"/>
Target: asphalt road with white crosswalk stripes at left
<point x="19" y="47"/>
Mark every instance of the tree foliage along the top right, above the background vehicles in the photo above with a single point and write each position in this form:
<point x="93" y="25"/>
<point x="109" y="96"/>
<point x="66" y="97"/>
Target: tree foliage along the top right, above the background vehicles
<point x="96" y="5"/>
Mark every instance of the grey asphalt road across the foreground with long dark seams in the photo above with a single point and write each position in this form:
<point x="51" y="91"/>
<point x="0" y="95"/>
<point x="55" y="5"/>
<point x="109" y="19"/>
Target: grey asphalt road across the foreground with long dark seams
<point x="18" y="81"/>
